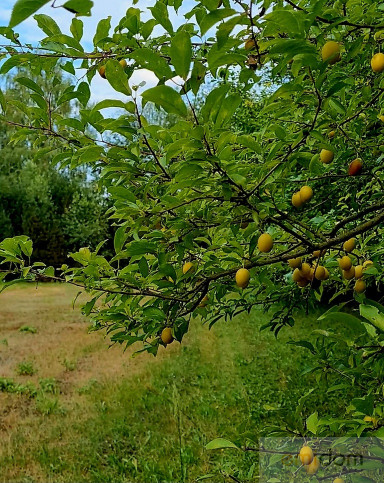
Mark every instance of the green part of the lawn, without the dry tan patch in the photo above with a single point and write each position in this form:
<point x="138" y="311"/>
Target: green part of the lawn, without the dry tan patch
<point x="151" y="424"/>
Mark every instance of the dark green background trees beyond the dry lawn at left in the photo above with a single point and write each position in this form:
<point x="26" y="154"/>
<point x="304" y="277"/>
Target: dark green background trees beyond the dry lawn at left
<point x="60" y="210"/>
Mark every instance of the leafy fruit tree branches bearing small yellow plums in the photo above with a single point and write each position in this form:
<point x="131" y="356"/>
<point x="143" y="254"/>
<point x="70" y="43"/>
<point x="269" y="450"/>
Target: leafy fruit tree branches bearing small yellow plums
<point x="202" y="190"/>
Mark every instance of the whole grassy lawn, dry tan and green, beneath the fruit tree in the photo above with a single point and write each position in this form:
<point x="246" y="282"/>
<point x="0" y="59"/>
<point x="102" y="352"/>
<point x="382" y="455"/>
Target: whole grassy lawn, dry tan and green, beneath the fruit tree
<point x="107" y="417"/>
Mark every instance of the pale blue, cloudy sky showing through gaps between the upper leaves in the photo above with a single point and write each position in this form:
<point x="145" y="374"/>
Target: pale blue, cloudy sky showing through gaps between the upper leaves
<point x="100" y="88"/>
